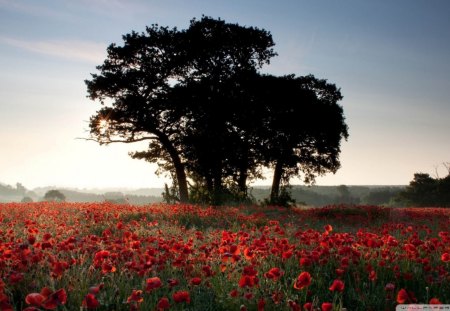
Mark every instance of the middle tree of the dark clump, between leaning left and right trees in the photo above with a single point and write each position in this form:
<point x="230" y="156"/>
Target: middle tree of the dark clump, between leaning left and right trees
<point x="221" y="144"/>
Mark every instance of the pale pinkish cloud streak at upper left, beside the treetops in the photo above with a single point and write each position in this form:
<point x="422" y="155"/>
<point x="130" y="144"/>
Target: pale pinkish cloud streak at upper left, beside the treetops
<point x="74" y="50"/>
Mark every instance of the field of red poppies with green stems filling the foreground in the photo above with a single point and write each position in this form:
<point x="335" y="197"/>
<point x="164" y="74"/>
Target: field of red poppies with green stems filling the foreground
<point x="67" y="256"/>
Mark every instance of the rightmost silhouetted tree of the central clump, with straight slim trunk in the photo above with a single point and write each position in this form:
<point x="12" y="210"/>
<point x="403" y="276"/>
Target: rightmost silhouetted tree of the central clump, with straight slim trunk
<point x="303" y="128"/>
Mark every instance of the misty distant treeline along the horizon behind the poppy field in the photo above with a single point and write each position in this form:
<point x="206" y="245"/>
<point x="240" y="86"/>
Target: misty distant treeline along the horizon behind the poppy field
<point x="423" y="190"/>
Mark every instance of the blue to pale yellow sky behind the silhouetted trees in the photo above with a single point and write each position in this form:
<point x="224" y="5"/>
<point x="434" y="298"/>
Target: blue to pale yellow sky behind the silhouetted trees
<point x="391" y="60"/>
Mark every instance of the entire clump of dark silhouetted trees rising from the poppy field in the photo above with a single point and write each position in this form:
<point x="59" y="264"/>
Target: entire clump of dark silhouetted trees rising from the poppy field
<point x="213" y="121"/>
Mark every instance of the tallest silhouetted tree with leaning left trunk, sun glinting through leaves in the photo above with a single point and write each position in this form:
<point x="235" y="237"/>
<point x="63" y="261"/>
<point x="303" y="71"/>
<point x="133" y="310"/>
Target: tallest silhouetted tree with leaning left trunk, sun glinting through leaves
<point x="135" y="82"/>
